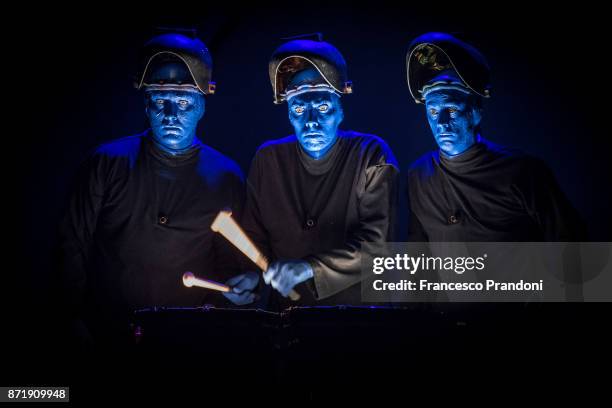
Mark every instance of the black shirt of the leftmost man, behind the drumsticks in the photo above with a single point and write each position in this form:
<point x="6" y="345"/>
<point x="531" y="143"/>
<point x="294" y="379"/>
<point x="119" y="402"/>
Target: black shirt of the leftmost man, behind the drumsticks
<point x="138" y="218"/>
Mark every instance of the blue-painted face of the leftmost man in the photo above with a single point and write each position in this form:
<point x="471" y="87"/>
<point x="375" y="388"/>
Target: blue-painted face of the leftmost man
<point x="174" y="116"/>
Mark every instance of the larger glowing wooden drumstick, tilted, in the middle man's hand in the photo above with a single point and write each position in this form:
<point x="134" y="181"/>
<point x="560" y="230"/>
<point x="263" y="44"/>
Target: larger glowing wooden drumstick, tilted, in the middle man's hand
<point x="229" y="228"/>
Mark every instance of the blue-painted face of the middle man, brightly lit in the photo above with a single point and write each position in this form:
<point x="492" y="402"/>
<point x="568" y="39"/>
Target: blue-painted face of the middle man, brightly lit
<point x="315" y="117"/>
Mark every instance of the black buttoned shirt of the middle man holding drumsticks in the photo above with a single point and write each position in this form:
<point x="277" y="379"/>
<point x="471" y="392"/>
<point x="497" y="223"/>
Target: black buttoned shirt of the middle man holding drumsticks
<point x="322" y="210"/>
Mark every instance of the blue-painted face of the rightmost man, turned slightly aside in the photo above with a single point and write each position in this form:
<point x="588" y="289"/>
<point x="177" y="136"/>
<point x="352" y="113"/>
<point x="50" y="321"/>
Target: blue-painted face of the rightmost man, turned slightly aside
<point x="453" y="118"/>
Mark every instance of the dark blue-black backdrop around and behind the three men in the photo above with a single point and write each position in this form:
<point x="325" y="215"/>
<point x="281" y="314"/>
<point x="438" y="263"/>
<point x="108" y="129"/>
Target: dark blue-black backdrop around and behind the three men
<point x="549" y="69"/>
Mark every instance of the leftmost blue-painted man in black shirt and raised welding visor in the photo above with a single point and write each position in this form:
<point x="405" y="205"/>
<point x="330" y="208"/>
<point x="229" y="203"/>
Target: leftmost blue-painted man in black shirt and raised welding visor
<point x="142" y="206"/>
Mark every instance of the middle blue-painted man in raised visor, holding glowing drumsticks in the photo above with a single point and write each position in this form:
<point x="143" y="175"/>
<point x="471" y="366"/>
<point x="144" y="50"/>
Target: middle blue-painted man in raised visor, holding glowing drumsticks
<point x="314" y="197"/>
